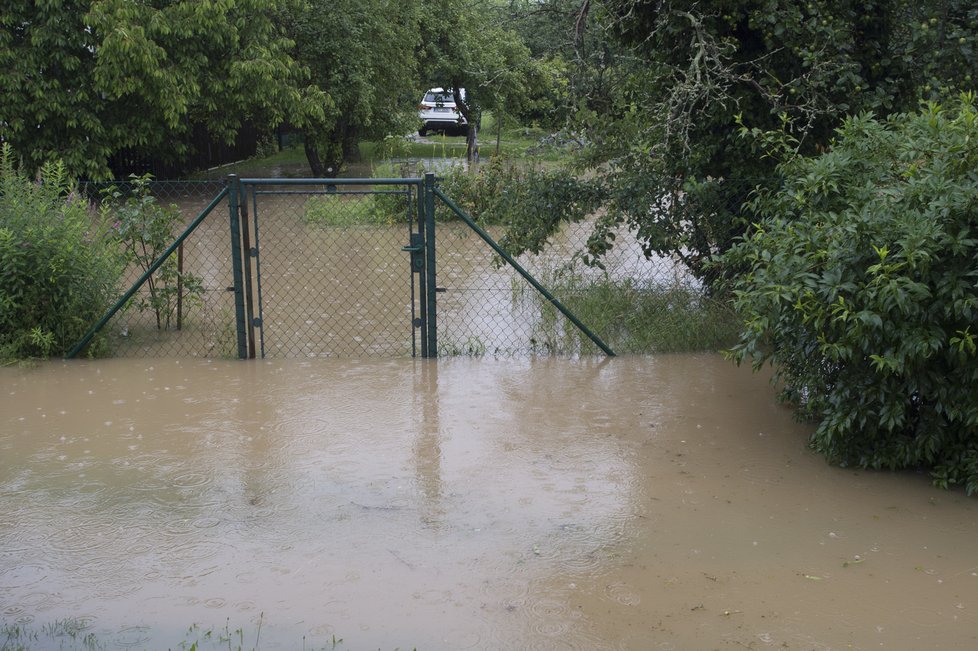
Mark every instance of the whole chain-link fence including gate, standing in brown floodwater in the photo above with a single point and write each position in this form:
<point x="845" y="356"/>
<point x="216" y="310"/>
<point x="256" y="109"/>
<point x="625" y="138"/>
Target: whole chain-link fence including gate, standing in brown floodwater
<point x="336" y="276"/>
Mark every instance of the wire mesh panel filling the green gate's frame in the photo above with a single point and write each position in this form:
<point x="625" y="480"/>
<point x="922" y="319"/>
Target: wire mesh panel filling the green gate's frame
<point x="333" y="280"/>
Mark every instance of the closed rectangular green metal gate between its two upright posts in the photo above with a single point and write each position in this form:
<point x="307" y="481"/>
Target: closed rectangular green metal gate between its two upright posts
<point x="330" y="267"/>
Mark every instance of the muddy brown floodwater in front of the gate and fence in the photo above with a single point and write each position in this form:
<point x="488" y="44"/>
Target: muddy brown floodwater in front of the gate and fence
<point x="630" y="503"/>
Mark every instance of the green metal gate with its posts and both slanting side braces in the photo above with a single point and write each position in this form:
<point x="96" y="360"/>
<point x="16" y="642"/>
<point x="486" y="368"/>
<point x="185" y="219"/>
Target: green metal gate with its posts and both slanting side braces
<point x="328" y="268"/>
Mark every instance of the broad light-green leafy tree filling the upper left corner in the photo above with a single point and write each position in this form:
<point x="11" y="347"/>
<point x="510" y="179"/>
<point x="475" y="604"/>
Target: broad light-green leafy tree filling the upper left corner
<point x="81" y="80"/>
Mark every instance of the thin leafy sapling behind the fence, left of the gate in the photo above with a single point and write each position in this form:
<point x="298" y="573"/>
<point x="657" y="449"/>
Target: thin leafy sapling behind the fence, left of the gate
<point x="146" y="229"/>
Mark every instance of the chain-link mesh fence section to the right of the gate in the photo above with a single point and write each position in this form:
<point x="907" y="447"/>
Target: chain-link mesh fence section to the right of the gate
<point x="634" y="302"/>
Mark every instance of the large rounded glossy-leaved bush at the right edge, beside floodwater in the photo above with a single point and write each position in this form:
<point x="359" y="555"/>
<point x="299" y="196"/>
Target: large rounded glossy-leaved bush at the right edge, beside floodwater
<point x="861" y="287"/>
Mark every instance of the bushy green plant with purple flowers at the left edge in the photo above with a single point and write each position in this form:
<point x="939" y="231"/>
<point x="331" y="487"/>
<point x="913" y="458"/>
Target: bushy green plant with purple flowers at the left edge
<point x="59" y="264"/>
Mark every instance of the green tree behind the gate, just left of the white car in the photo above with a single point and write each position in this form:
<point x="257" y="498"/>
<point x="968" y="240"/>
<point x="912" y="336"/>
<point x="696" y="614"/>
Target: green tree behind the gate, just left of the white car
<point x="361" y="54"/>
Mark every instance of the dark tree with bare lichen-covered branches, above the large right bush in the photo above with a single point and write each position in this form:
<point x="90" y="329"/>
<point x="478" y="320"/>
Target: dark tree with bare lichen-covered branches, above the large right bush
<point x="664" y="127"/>
